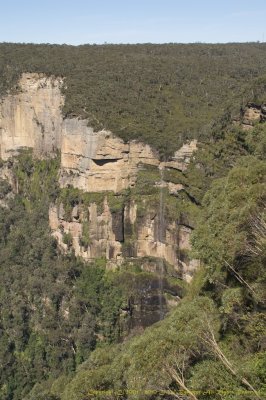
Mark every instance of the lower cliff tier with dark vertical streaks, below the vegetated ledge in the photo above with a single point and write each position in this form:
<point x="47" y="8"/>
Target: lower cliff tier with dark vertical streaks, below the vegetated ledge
<point x="124" y="234"/>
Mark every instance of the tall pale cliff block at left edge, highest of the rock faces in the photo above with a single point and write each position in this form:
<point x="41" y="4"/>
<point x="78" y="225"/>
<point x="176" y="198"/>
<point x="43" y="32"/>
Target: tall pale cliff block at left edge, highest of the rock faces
<point x="32" y="117"/>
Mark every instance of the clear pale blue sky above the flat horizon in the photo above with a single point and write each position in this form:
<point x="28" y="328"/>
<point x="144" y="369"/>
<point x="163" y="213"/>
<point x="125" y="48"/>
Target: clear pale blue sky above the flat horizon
<point x="132" y="21"/>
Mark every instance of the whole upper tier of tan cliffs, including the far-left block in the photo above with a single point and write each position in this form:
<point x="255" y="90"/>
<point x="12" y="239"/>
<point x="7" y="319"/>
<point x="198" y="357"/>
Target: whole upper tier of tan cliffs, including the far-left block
<point x="90" y="161"/>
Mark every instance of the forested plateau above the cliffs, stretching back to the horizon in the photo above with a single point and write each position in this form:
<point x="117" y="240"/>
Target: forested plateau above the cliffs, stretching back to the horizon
<point x="161" y="94"/>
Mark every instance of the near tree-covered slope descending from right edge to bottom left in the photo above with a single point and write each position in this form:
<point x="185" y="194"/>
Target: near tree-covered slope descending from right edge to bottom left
<point x="212" y="346"/>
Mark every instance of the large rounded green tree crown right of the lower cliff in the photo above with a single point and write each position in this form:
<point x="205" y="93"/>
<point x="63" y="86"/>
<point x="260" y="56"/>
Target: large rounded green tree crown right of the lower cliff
<point x="228" y="207"/>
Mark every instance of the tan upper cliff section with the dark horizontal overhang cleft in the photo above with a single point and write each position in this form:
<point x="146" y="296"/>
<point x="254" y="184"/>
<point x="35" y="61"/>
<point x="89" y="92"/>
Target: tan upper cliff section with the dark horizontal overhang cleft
<point x="99" y="161"/>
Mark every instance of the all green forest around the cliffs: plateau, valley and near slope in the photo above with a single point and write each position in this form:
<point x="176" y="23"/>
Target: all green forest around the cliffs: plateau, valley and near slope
<point x="70" y="330"/>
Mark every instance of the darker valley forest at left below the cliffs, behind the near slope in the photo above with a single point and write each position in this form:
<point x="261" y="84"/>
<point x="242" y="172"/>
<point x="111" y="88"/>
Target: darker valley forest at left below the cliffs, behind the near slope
<point x="54" y="308"/>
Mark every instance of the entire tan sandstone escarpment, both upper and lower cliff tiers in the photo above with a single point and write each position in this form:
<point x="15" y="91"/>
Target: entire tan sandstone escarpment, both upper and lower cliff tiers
<point x="126" y="222"/>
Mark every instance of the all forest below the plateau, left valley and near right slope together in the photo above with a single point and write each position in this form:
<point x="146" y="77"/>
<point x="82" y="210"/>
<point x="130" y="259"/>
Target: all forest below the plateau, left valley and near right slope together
<point x="211" y="345"/>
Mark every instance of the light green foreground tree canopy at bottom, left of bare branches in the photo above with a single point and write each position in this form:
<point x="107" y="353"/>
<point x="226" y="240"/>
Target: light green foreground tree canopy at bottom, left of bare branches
<point x="139" y="365"/>
